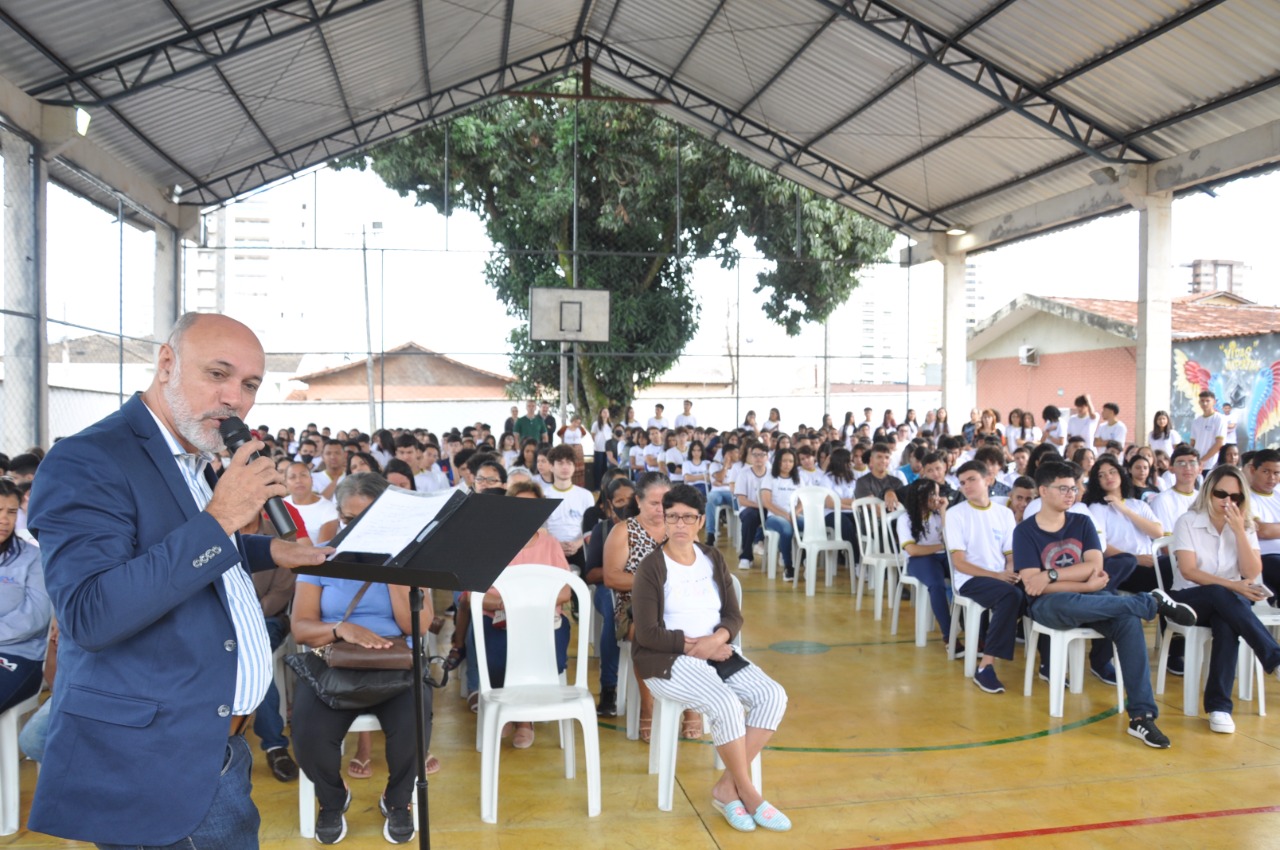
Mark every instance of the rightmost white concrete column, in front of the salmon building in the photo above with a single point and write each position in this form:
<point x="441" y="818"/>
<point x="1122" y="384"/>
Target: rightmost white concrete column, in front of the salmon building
<point x="1155" y="310"/>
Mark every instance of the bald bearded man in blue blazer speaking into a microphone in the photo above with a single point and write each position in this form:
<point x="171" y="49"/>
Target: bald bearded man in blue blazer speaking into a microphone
<point x="162" y="655"/>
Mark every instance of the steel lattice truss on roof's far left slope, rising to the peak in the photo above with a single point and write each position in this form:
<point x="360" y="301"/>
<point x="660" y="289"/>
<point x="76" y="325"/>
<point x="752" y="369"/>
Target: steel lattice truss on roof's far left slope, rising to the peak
<point x="385" y="126"/>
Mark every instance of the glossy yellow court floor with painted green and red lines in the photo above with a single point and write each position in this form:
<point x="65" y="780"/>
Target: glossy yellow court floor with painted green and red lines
<point x="885" y="746"/>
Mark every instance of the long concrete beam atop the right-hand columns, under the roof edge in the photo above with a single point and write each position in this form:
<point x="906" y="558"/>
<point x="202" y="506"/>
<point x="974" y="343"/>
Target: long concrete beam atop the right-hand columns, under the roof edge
<point x="1117" y="189"/>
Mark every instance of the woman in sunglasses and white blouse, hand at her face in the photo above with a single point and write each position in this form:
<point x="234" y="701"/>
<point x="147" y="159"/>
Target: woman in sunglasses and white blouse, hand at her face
<point x="1220" y="575"/>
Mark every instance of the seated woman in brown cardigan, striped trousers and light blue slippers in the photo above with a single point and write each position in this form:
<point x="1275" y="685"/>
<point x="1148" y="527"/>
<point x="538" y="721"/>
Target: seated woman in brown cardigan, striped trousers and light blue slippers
<point x="687" y="618"/>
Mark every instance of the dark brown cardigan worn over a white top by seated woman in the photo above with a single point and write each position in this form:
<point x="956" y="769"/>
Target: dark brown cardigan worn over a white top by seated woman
<point x="656" y="648"/>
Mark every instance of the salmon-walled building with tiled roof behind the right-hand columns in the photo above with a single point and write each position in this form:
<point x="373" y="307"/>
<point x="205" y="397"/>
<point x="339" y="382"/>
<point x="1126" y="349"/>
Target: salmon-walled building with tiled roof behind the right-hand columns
<point x="1046" y="351"/>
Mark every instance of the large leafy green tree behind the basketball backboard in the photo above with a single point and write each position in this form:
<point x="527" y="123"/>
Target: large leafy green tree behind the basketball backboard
<point x="513" y="163"/>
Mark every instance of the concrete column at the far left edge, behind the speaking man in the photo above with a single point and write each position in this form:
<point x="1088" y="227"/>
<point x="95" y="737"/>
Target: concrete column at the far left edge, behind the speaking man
<point x="25" y="418"/>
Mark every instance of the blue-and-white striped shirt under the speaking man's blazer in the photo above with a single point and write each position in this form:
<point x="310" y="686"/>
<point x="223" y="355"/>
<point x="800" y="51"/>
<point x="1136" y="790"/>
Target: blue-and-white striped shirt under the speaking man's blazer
<point x="253" y="646"/>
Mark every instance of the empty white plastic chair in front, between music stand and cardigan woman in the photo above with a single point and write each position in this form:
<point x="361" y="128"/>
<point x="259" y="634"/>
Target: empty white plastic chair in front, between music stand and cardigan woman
<point x="532" y="691"/>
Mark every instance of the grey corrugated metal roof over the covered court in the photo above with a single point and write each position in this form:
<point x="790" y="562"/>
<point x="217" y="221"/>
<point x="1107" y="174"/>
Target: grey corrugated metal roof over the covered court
<point x="848" y="88"/>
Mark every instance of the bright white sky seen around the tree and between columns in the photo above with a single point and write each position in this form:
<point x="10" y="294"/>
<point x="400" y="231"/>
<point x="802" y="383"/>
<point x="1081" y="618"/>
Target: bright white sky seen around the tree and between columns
<point x="429" y="287"/>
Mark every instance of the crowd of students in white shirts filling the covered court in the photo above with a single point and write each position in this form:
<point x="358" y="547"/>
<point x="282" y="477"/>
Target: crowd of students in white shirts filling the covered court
<point x="963" y="492"/>
